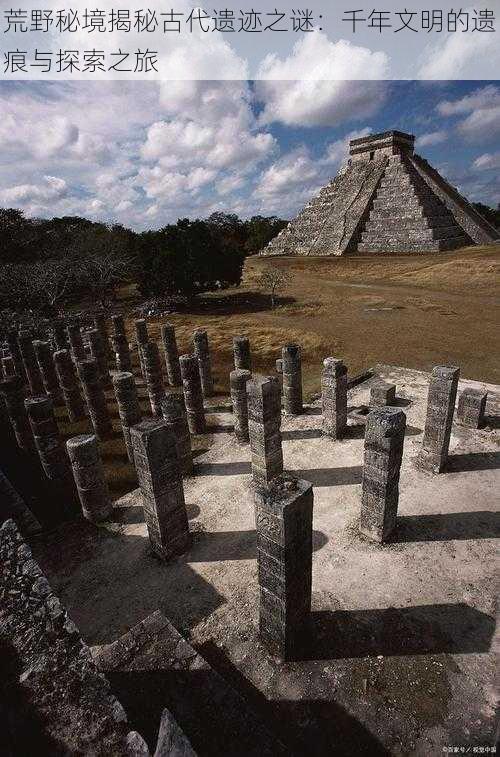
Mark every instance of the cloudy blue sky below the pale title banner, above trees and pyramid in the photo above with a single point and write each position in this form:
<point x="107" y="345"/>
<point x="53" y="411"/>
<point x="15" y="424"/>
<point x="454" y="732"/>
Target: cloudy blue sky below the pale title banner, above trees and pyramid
<point x="144" y="154"/>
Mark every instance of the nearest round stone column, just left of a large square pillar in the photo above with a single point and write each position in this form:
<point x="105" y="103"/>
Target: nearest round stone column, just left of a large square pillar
<point x="88" y="472"/>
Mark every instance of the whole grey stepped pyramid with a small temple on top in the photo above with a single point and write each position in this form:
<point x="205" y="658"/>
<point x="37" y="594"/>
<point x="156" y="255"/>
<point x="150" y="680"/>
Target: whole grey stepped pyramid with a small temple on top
<point x="387" y="199"/>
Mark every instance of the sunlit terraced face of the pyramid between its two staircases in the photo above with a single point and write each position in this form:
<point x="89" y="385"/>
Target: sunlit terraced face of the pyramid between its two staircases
<point x="407" y="216"/>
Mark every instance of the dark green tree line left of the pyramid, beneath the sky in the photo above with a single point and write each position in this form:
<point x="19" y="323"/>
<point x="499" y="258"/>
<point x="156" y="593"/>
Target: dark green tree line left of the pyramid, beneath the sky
<point x="47" y="264"/>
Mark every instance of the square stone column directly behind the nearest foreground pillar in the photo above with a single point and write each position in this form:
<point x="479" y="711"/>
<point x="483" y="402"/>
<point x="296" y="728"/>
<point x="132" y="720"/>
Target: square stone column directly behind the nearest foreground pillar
<point x="264" y="422"/>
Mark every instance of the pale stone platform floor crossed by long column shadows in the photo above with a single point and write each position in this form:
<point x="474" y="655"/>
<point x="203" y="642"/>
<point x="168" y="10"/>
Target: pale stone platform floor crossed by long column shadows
<point x="399" y="659"/>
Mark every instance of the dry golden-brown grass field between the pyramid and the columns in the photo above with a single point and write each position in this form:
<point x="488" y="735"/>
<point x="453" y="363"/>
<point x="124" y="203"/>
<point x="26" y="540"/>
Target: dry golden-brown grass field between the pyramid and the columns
<point x="410" y="311"/>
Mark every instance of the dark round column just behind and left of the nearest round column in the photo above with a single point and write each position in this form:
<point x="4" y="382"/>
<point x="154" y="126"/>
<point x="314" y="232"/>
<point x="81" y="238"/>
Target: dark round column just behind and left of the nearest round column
<point x="47" y="439"/>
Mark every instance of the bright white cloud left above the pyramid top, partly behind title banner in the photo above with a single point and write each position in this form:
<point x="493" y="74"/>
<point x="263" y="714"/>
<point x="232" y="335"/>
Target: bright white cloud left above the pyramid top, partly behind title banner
<point x="322" y="98"/>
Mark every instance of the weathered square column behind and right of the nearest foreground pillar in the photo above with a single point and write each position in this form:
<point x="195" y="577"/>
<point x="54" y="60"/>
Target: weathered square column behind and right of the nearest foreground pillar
<point x="384" y="439"/>
